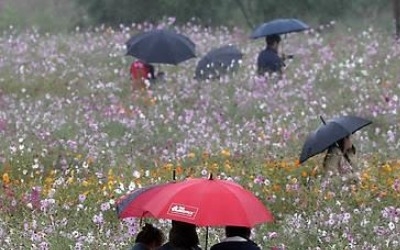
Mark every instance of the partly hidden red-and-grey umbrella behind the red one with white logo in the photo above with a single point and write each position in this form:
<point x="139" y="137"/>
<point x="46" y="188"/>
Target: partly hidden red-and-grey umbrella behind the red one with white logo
<point x="131" y="205"/>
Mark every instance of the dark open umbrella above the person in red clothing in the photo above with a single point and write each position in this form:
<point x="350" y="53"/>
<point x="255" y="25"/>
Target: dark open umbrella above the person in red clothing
<point x="161" y="46"/>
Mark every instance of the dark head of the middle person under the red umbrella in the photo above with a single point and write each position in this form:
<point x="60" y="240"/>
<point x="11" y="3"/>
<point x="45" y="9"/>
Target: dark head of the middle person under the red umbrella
<point x="183" y="235"/>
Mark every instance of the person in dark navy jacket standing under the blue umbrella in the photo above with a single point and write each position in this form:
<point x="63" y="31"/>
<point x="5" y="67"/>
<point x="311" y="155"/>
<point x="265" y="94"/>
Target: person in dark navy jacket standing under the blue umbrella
<point x="268" y="60"/>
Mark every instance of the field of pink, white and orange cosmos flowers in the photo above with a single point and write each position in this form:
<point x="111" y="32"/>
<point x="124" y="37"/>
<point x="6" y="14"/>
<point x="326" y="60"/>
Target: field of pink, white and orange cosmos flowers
<point x="75" y="138"/>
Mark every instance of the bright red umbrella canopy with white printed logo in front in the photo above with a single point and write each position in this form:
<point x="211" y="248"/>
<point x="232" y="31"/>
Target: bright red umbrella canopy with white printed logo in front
<point x="208" y="202"/>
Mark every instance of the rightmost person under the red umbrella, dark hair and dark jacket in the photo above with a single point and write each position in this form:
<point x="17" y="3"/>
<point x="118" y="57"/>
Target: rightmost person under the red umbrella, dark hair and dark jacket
<point x="237" y="238"/>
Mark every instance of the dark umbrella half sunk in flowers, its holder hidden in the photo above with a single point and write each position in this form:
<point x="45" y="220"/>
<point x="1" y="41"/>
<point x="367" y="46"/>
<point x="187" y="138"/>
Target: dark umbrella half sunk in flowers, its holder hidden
<point x="218" y="61"/>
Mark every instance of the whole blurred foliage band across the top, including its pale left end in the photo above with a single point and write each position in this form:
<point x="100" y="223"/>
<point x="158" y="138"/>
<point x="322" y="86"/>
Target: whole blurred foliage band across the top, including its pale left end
<point x="62" y="15"/>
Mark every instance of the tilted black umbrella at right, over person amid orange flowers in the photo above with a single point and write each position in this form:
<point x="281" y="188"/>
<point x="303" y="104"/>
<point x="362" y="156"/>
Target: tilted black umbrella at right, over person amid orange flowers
<point x="329" y="133"/>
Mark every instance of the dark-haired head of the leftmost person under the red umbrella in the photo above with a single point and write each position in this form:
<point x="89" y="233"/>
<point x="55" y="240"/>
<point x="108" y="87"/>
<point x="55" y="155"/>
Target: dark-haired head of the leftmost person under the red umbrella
<point x="150" y="236"/>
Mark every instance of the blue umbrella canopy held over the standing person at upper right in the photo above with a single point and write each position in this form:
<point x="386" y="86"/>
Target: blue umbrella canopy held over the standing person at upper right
<point x="279" y="27"/>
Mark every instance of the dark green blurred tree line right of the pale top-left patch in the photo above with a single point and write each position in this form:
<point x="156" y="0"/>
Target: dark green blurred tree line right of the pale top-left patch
<point x="227" y="12"/>
